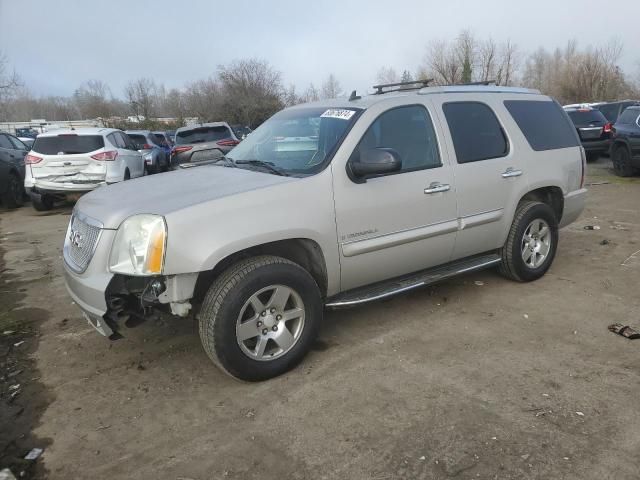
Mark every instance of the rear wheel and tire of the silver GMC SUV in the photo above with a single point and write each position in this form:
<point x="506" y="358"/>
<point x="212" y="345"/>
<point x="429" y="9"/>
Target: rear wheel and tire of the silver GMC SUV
<point x="517" y="247"/>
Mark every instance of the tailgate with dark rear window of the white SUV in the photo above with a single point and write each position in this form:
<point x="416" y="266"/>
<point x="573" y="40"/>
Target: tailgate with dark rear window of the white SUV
<point x="67" y="155"/>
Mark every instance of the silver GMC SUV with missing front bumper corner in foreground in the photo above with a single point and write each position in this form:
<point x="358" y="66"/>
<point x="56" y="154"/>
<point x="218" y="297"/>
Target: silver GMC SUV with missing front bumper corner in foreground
<point x="381" y="195"/>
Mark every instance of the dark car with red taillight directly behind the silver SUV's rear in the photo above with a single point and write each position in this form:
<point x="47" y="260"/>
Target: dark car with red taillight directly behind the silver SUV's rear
<point x="593" y="129"/>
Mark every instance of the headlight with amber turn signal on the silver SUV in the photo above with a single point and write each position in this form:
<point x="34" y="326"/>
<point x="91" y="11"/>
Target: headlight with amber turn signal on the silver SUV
<point x="139" y="246"/>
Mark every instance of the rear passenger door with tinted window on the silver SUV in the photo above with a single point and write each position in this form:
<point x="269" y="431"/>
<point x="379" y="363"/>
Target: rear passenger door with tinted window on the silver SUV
<point x="489" y="174"/>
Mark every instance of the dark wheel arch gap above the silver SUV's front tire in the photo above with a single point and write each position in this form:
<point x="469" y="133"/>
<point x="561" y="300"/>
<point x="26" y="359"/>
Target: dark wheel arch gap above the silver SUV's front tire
<point x="303" y="251"/>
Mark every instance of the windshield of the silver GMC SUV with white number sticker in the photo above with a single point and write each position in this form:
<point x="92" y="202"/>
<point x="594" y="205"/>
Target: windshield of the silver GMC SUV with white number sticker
<point x="297" y="141"/>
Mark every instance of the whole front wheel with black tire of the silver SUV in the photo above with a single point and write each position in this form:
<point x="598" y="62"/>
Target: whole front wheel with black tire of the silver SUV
<point x="229" y="302"/>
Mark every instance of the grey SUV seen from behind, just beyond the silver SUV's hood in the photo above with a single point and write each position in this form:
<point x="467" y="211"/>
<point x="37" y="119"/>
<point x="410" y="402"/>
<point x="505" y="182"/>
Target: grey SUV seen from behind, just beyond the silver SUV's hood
<point x="203" y="143"/>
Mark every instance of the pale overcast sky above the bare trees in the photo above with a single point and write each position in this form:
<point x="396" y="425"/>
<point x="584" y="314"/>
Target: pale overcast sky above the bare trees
<point x="56" y="45"/>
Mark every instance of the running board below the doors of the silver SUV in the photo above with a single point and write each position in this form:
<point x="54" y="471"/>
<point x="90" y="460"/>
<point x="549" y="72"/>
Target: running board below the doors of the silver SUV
<point x="405" y="283"/>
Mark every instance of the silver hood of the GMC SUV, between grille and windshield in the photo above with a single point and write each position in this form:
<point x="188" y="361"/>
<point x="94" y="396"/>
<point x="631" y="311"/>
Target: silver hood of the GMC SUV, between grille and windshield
<point x="167" y="192"/>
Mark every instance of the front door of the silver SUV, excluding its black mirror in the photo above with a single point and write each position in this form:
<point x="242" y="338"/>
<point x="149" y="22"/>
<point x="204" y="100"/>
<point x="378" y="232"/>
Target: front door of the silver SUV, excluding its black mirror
<point x="402" y="222"/>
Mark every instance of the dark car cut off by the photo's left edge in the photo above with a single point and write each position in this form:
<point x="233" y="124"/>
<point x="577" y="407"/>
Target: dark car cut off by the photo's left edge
<point x="12" y="153"/>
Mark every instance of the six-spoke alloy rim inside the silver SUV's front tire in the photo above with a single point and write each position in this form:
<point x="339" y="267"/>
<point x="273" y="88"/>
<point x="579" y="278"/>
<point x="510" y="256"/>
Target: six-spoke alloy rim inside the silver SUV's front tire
<point x="270" y="323"/>
